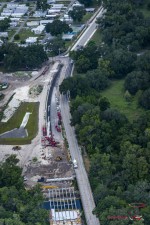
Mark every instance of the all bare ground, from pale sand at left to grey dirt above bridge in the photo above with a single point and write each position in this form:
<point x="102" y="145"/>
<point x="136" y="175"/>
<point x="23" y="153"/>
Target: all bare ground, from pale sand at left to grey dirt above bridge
<point x="36" y="161"/>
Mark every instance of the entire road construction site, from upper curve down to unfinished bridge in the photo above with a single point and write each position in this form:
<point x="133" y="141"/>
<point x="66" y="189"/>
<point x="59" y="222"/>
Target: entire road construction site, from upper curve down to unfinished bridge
<point x="46" y="160"/>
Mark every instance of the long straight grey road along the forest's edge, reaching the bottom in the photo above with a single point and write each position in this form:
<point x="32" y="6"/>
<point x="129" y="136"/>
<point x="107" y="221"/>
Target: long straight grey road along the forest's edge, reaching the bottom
<point x="81" y="175"/>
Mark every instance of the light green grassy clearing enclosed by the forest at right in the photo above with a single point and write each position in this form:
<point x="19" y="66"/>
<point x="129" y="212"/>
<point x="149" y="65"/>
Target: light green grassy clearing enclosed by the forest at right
<point x="115" y="95"/>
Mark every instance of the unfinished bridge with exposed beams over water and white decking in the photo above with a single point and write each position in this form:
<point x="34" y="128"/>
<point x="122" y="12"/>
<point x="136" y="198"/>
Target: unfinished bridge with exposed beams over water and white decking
<point x="63" y="207"/>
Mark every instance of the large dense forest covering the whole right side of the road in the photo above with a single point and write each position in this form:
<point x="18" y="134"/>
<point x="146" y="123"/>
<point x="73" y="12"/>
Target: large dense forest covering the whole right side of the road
<point x="117" y="147"/>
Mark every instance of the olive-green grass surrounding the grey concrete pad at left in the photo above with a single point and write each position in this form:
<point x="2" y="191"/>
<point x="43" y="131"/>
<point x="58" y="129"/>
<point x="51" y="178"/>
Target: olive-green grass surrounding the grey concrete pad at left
<point x="15" y="121"/>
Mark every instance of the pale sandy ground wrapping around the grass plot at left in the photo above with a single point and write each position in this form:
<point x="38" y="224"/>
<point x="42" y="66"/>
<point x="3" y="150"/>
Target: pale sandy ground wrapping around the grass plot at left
<point x="28" y="152"/>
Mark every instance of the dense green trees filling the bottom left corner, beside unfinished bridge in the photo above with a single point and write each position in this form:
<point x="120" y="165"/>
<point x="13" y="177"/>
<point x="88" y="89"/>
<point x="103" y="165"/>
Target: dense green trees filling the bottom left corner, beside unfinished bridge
<point x="19" y="206"/>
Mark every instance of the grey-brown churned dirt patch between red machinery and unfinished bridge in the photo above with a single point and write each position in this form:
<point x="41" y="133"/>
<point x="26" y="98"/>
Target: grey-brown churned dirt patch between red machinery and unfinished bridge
<point x="53" y="163"/>
